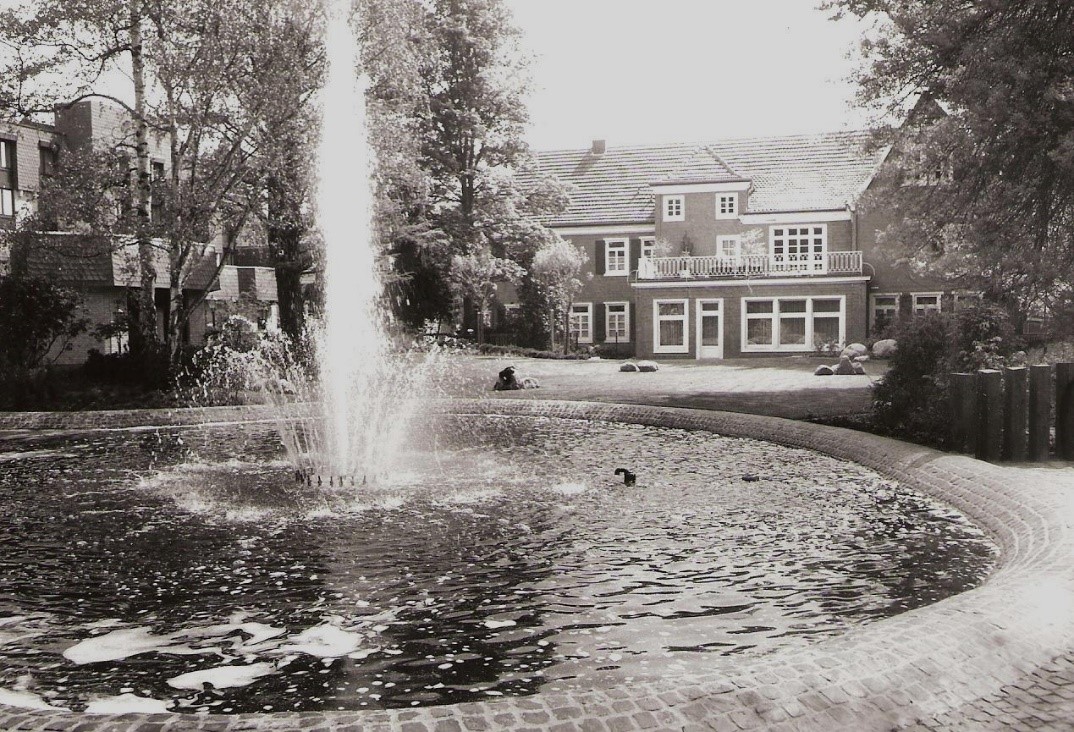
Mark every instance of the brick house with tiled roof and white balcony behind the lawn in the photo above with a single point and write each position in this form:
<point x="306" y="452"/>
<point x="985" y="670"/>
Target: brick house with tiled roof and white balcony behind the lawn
<point x="736" y="248"/>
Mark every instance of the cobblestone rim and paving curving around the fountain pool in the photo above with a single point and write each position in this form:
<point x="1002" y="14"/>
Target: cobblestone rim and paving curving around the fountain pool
<point x="996" y="657"/>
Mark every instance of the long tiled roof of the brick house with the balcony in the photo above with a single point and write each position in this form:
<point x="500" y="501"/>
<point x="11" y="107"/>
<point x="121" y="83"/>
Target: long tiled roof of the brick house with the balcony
<point x="797" y="173"/>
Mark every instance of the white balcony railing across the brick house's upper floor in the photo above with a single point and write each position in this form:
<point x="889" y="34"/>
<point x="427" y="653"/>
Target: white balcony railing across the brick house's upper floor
<point x="752" y="266"/>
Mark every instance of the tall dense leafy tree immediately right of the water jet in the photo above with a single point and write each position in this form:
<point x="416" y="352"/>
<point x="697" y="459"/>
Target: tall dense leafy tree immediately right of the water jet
<point x="448" y="114"/>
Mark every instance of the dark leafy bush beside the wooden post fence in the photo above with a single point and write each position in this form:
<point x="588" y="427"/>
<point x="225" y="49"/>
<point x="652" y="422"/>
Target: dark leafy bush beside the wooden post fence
<point x="912" y="401"/>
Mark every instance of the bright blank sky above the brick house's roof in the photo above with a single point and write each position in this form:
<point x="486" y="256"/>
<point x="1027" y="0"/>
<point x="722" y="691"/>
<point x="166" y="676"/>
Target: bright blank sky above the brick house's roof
<point x="635" y="72"/>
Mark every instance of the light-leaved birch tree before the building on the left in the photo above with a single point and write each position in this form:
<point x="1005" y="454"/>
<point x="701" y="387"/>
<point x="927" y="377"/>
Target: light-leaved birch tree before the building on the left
<point x="212" y="81"/>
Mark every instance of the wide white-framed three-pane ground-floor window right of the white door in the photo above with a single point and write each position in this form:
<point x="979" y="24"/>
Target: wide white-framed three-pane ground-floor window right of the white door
<point x="792" y="324"/>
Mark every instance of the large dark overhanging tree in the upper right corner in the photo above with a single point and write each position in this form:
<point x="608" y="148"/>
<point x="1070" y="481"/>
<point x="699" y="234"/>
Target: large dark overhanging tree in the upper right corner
<point x="989" y="151"/>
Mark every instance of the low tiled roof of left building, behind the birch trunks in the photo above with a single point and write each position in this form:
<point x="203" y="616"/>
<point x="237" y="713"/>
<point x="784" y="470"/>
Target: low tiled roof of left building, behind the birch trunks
<point x="85" y="260"/>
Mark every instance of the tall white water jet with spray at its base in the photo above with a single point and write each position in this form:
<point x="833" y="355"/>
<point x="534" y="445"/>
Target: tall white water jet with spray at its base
<point x="367" y="392"/>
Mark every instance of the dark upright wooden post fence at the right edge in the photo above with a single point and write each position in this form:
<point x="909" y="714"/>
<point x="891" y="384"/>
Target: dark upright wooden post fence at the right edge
<point x="1009" y="415"/>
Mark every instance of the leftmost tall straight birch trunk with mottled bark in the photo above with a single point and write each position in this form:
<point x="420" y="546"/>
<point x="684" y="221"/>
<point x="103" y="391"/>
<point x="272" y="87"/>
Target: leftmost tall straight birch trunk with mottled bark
<point x="143" y="334"/>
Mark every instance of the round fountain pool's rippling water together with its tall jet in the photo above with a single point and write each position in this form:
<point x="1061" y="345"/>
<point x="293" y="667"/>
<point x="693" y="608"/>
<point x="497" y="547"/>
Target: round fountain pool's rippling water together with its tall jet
<point x="187" y="570"/>
